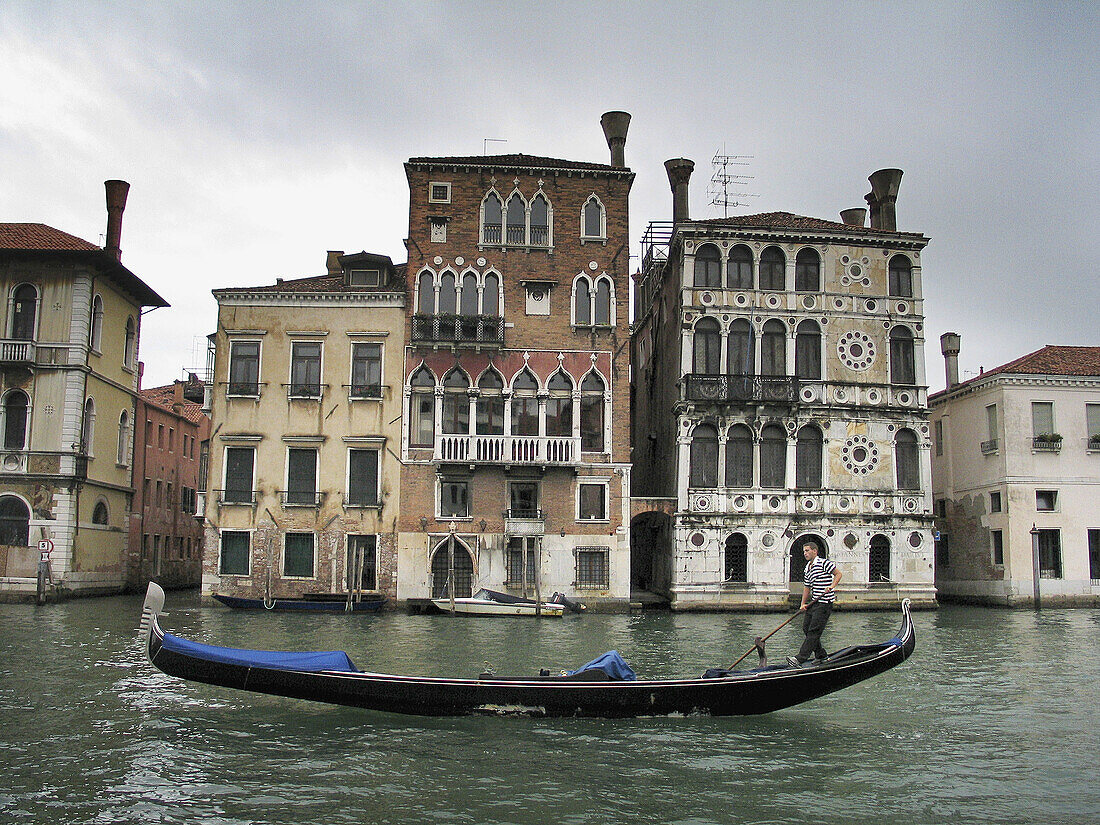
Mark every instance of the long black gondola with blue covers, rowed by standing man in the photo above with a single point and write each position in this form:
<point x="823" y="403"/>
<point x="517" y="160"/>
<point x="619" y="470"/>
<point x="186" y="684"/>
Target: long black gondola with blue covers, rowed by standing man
<point x="332" y="677"/>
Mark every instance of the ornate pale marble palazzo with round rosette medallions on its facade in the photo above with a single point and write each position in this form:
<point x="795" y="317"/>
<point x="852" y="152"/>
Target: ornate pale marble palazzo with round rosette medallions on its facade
<point x="779" y="395"/>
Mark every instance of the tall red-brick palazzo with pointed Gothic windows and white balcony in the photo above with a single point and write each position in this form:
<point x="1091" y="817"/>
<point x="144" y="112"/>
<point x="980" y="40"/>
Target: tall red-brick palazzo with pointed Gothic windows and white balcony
<point x="516" y="376"/>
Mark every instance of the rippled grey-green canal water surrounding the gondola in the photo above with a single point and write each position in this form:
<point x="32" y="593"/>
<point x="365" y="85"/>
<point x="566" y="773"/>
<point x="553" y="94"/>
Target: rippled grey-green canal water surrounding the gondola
<point x="995" y="720"/>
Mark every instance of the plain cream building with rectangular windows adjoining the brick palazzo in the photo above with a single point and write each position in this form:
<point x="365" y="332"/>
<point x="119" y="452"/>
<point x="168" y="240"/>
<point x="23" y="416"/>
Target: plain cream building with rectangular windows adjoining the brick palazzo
<point x="303" y="491"/>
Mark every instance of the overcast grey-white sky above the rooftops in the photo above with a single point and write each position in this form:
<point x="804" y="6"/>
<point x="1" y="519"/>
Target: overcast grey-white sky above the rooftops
<point x="259" y="136"/>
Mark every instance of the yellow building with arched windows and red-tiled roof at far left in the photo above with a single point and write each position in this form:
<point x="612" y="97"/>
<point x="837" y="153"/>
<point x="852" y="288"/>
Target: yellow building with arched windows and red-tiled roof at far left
<point x="70" y="370"/>
